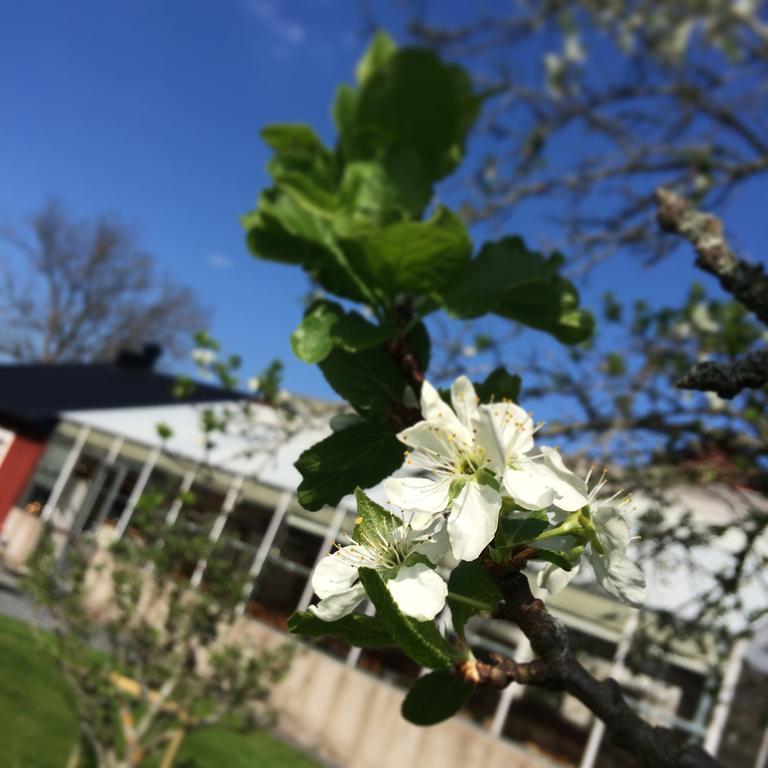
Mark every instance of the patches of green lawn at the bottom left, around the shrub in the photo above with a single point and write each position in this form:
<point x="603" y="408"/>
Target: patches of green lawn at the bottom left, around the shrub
<point x="38" y="728"/>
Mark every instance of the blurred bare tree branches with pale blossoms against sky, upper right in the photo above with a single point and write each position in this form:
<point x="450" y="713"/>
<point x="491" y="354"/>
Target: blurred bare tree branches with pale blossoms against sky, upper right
<point x="598" y="103"/>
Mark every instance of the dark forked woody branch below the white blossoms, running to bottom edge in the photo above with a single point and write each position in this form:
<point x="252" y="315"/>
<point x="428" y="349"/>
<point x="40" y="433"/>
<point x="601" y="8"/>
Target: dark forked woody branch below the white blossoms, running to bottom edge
<point x="557" y="668"/>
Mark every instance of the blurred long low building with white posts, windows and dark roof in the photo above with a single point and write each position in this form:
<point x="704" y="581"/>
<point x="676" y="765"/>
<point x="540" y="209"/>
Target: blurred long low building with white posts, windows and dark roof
<point x="97" y="450"/>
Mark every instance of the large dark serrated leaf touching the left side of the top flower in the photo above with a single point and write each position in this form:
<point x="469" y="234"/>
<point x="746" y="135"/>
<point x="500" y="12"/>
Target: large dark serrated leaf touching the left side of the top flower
<point x="362" y="454"/>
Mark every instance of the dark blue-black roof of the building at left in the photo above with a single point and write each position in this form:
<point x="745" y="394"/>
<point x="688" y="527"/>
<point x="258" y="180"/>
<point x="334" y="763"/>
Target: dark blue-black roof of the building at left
<point x="34" y="395"/>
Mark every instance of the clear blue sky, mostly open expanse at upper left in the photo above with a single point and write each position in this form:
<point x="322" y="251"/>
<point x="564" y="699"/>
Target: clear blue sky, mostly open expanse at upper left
<point x="152" y="110"/>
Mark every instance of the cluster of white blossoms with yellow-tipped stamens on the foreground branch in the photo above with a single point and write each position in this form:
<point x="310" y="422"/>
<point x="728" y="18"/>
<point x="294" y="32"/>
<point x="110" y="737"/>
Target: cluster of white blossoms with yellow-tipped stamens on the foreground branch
<point x="467" y="462"/>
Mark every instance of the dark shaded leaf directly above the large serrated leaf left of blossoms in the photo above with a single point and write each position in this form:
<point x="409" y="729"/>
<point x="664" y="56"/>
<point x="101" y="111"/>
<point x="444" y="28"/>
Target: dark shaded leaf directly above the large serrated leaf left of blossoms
<point x="369" y="380"/>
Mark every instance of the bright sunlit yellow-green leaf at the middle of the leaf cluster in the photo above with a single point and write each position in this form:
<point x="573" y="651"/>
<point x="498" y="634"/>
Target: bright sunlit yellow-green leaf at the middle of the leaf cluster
<point x="411" y="256"/>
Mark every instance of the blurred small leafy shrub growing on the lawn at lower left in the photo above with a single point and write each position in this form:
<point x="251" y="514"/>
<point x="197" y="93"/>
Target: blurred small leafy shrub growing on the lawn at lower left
<point x="146" y="659"/>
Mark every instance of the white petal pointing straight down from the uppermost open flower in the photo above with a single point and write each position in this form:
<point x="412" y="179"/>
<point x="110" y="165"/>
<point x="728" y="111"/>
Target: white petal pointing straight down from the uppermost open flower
<point x="473" y="520"/>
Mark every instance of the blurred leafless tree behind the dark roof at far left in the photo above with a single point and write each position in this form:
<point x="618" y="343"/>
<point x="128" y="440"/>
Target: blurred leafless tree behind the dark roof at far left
<point x="88" y="290"/>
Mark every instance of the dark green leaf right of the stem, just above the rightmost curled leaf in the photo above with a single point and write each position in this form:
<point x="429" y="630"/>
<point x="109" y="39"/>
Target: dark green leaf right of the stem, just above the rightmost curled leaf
<point x="500" y="266"/>
